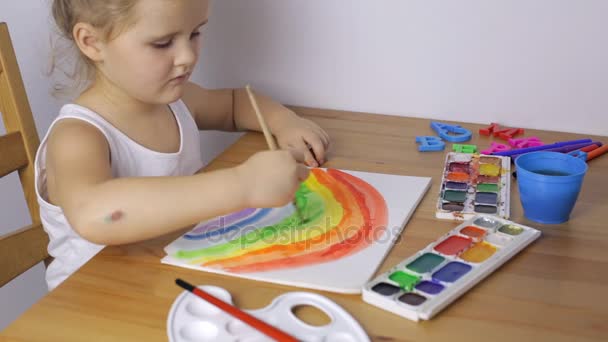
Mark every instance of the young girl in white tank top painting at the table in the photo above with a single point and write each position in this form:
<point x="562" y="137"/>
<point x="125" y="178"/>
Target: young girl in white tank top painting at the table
<point x="118" y="164"/>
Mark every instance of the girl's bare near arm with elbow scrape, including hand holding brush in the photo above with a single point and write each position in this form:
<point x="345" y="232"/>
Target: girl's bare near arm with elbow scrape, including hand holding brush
<point x="110" y="211"/>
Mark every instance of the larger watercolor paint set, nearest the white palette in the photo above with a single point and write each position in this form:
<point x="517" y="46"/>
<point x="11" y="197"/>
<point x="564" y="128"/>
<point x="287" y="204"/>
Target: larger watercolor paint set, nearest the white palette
<point x="425" y="283"/>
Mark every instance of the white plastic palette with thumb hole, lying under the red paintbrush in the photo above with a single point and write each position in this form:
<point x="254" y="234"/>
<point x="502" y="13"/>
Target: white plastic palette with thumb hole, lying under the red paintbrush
<point x="193" y="319"/>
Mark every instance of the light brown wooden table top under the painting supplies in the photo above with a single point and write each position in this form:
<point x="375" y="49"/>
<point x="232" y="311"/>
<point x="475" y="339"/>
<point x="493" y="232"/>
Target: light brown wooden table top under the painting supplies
<point x="556" y="289"/>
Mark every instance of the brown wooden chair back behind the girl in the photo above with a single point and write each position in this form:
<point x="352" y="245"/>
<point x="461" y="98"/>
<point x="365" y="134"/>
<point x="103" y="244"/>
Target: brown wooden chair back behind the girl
<point x="26" y="247"/>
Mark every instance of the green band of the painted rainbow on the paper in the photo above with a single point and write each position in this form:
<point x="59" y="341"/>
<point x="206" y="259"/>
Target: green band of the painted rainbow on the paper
<point x="312" y="208"/>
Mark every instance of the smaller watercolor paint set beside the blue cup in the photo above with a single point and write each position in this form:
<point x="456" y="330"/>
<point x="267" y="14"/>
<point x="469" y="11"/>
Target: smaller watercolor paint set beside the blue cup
<point x="474" y="184"/>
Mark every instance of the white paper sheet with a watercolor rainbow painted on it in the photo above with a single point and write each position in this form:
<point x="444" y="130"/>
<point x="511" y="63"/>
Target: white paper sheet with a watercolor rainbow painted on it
<point x="340" y="216"/>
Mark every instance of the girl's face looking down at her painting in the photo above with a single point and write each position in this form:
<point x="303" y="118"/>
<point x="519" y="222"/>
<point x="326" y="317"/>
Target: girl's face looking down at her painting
<point x="152" y="59"/>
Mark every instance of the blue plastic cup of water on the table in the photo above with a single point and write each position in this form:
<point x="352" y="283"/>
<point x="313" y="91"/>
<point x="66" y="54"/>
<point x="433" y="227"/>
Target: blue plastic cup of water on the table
<point x="549" y="184"/>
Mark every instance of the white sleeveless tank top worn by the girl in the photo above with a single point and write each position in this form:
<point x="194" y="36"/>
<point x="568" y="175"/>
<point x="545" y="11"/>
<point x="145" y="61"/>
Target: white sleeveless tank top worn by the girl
<point x="128" y="159"/>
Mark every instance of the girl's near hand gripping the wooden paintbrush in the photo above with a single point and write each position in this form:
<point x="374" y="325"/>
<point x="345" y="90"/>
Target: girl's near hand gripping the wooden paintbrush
<point x="271" y="178"/>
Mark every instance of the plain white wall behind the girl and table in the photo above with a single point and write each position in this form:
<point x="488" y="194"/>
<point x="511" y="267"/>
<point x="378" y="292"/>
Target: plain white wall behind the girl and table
<point x="531" y="63"/>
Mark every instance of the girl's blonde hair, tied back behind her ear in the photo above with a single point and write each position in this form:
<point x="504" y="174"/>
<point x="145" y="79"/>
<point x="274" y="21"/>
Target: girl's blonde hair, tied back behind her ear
<point x="111" y="17"/>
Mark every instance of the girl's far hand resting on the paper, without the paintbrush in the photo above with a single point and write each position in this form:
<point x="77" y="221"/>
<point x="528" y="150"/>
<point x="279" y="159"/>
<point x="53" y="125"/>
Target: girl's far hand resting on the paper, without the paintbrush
<point x="305" y="136"/>
